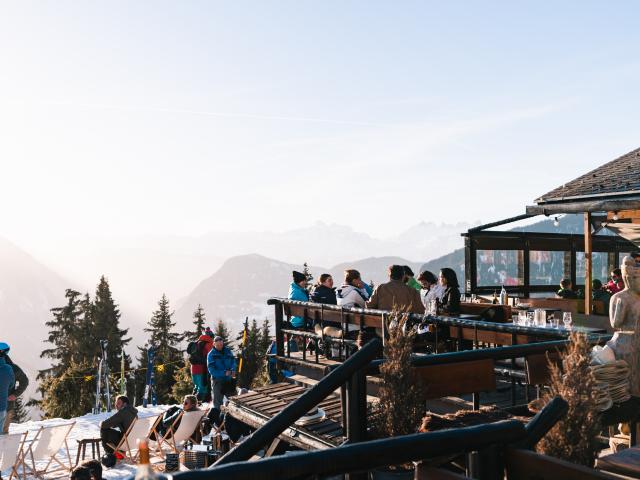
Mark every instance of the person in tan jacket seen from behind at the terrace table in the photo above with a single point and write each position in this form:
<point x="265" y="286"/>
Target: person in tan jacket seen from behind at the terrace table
<point x="396" y="294"/>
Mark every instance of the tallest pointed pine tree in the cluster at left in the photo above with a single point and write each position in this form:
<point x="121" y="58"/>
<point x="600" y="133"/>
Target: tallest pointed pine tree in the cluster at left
<point x="106" y="319"/>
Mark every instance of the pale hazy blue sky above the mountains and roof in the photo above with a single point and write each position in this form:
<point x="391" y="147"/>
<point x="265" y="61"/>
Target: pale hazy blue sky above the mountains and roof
<point x="184" y="117"/>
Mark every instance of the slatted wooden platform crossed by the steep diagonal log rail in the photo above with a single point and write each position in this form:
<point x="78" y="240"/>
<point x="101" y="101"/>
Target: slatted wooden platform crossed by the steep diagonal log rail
<point x="256" y="408"/>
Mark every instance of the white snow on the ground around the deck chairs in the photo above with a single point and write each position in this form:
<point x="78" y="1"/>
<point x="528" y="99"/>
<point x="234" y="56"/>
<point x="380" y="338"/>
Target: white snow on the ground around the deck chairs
<point x="86" y="426"/>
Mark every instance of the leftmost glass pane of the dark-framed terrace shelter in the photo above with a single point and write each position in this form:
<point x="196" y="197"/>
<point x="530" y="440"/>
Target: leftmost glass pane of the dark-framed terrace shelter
<point x="500" y="267"/>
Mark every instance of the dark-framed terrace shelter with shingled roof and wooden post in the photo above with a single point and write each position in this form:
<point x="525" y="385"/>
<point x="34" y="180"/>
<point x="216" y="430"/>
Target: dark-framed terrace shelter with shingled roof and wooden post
<point x="608" y="196"/>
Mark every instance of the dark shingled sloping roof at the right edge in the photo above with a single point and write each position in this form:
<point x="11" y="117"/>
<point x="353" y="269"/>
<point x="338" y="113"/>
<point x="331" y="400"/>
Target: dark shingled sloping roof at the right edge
<point x="614" y="179"/>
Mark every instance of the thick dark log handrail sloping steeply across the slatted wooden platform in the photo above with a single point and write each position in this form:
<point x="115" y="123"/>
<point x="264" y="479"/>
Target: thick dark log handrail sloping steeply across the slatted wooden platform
<point x="292" y="412"/>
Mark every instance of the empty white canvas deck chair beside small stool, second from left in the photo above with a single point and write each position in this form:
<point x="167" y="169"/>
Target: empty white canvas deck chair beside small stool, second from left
<point x="45" y="447"/>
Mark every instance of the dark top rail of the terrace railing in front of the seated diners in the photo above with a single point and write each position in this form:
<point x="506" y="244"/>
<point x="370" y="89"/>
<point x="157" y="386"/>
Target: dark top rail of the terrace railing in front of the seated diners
<point x="437" y="320"/>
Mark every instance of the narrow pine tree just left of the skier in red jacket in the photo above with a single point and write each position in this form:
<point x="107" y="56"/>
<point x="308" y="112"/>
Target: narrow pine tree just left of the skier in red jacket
<point x="168" y="355"/>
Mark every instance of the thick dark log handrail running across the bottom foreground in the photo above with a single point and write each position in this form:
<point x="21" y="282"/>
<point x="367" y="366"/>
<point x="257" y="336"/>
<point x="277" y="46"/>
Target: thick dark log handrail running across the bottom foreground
<point x="365" y="455"/>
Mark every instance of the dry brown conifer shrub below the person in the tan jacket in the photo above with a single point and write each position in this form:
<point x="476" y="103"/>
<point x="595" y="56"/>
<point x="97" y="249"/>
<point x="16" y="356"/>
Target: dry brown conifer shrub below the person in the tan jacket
<point x="402" y="404"/>
